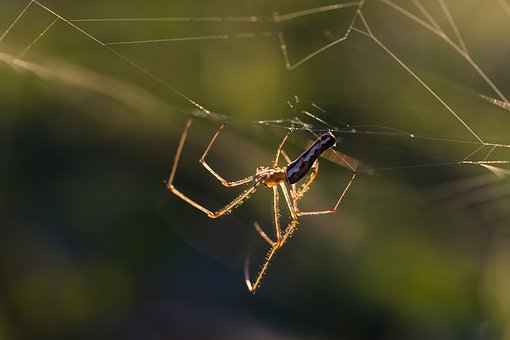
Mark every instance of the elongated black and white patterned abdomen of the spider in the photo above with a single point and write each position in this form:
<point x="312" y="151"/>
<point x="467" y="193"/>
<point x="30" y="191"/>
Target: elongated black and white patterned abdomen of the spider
<point x="298" y="169"/>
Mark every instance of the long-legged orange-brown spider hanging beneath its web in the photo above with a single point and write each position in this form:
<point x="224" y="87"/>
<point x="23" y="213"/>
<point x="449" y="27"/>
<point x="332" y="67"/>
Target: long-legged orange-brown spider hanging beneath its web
<point x="273" y="177"/>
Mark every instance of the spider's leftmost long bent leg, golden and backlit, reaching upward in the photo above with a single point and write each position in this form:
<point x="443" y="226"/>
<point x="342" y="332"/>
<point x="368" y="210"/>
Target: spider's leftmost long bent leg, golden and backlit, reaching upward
<point x="226" y="209"/>
